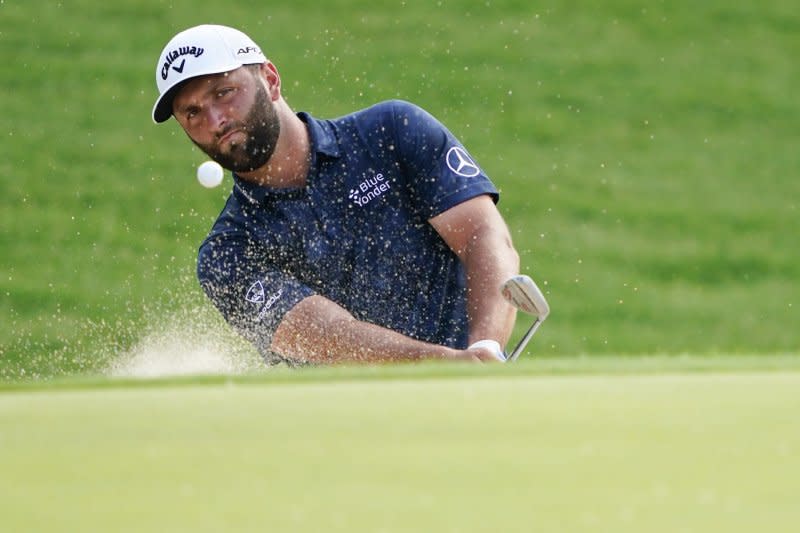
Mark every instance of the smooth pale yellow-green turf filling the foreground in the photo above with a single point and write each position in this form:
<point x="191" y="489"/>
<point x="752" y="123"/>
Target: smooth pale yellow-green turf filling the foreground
<point x="702" y="452"/>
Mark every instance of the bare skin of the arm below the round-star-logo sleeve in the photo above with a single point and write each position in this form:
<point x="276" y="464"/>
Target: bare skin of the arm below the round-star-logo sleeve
<point x="477" y="234"/>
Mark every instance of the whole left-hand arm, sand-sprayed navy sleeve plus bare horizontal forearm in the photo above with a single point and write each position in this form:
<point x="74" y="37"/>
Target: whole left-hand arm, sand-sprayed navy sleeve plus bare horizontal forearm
<point x="281" y="316"/>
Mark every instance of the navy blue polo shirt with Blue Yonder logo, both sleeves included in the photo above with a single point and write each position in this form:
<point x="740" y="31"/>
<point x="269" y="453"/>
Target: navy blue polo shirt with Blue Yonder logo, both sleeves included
<point x="357" y="233"/>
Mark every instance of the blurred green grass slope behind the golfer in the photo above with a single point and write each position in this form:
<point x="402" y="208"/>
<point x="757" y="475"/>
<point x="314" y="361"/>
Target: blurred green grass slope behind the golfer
<point x="647" y="154"/>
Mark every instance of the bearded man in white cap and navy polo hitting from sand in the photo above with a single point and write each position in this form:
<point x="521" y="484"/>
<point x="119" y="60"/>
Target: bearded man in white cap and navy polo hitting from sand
<point x="372" y="237"/>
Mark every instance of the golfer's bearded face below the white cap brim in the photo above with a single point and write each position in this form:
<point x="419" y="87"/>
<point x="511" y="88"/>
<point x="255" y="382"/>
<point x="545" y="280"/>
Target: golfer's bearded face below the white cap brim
<point x="230" y="117"/>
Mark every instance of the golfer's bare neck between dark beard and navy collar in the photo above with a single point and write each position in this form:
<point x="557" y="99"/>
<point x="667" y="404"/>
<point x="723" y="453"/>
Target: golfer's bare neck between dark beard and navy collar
<point x="288" y="167"/>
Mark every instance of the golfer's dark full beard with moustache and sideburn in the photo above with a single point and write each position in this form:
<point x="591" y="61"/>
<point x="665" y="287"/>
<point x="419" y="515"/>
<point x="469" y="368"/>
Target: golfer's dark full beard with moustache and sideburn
<point x="262" y="127"/>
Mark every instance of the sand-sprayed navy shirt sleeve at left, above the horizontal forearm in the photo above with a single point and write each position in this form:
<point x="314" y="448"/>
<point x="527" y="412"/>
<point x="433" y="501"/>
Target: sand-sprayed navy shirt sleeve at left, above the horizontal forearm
<point x="249" y="292"/>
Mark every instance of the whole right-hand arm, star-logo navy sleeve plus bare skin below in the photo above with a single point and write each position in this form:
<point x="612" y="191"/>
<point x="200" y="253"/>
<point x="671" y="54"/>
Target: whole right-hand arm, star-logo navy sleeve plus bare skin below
<point x="455" y="196"/>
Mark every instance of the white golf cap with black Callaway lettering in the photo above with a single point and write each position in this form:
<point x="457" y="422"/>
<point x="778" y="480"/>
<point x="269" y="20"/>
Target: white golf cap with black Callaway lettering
<point x="198" y="51"/>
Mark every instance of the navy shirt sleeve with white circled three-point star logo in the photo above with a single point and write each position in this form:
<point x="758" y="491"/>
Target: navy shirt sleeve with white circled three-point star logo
<point x="441" y="172"/>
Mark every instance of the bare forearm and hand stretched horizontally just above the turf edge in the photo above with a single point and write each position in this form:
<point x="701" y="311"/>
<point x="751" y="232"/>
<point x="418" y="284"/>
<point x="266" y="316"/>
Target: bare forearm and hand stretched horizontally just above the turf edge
<point x="317" y="330"/>
